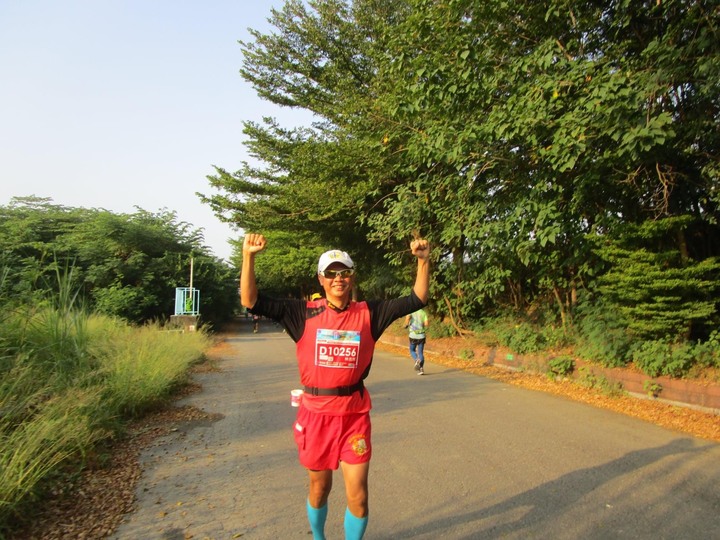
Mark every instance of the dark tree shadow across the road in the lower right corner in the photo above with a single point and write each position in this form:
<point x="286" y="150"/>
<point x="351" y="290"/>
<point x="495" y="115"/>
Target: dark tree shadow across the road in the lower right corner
<point x="528" y="514"/>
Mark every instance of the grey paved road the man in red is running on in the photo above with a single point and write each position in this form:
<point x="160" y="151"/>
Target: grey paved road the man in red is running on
<point x="456" y="456"/>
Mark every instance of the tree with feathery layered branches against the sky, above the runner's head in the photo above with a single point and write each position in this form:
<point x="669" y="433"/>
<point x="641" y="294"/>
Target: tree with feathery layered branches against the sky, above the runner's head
<point x="323" y="179"/>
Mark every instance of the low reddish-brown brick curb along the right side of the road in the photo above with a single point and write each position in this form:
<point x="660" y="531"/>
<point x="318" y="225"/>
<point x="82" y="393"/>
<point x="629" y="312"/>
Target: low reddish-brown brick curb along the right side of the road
<point x="702" y="396"/>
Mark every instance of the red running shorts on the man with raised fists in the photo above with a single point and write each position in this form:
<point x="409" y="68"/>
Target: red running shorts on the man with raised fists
<point x="324" y="441"/>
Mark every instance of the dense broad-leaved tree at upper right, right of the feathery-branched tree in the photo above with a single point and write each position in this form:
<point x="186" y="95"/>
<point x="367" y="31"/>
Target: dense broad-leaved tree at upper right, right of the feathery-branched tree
<point x="532" y="127"/>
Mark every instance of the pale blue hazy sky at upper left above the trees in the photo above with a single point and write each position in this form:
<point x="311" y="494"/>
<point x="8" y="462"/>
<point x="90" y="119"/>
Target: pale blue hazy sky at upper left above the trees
<point x="118" y="104"/>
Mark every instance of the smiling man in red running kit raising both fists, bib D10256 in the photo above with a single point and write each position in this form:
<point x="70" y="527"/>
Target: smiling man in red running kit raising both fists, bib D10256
<point x="335" y="339"/>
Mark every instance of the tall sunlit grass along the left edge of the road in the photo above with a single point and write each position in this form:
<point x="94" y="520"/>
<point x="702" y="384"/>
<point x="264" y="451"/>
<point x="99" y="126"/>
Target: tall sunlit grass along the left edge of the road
<point x="68" y="380"/>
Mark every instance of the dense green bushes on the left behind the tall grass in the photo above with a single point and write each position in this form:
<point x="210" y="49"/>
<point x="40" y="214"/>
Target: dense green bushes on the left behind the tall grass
<point x="121" y="265"/>
